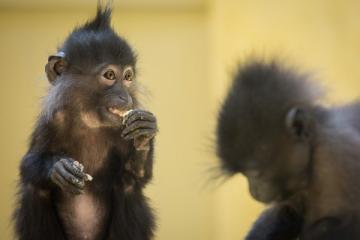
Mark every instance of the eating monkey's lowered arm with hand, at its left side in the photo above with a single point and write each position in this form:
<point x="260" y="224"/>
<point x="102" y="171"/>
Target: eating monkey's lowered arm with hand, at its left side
<point x="43" y="169"/>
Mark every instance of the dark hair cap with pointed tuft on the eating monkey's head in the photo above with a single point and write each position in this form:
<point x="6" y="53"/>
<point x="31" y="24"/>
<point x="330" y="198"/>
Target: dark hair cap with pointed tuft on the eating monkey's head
<point x="95" y="42"/>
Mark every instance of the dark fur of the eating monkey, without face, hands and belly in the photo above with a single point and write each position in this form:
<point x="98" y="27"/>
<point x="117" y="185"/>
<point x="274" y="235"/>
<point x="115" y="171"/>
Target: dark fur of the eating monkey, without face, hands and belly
<point x="102" y="151"/>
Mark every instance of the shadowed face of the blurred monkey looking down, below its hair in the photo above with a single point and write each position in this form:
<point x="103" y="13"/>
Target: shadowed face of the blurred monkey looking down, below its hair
<point x="275" y="170"/>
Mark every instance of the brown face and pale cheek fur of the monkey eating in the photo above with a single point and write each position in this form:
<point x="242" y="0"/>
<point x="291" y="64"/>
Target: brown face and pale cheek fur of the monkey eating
<point x="100" y="97"/>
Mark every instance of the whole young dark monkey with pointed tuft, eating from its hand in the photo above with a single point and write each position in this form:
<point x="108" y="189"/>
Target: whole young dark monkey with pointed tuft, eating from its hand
<point x="91" y="152"/>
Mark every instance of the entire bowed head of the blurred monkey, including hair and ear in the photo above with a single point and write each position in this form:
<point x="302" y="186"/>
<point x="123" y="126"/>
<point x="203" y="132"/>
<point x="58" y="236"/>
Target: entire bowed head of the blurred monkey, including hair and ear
<point x="266" y="130"/>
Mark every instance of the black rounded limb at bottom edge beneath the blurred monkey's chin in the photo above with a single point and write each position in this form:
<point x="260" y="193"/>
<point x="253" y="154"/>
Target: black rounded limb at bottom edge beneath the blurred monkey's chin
<point x="278" y="222"/>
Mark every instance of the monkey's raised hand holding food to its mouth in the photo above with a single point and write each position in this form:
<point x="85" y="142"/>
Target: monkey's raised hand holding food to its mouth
<point x="141" y="126"/>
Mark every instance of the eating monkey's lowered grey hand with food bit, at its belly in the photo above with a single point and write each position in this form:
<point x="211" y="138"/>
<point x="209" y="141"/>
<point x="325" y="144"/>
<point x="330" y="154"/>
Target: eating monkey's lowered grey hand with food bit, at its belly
<point x="68" y="175"/>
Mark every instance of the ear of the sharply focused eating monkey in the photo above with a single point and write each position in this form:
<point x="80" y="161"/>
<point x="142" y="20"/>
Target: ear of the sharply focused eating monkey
<point x="55" y="67"/>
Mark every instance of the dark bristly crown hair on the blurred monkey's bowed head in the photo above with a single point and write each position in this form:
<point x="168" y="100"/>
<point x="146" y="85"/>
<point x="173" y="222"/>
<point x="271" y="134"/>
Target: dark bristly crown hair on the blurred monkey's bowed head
<point x="256" y="105"/>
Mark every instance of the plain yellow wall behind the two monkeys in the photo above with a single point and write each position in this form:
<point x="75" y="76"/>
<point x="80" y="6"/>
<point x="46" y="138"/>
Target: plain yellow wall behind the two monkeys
<point x="187" y="51"/>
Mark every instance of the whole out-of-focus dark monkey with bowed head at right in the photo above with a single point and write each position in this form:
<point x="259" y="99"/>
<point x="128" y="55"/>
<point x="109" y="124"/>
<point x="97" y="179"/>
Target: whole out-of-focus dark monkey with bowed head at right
<point x="310" y="173"/>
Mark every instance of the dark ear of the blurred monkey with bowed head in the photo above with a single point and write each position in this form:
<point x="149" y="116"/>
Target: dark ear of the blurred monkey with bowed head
<point x="298" y="123"/>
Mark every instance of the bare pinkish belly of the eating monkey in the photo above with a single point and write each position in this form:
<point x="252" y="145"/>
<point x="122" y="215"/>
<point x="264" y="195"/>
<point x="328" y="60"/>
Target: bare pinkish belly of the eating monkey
<point x="83" y="216"/>
